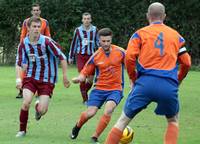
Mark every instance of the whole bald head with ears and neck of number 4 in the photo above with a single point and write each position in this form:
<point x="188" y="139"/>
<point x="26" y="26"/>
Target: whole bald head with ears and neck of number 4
<point x="156" y="12"/>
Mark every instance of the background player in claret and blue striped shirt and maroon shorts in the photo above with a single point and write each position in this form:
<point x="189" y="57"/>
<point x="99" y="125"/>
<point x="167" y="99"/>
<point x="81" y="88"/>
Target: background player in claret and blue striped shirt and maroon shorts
<point x="84" y="44"/>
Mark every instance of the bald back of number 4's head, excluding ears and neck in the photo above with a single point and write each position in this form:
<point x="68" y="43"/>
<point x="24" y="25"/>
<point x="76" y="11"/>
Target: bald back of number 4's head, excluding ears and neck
<point x="156" y="10"/>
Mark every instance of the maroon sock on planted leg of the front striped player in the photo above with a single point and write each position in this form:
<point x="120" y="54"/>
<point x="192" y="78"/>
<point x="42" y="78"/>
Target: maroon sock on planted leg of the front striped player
<point x="23" y="118"/>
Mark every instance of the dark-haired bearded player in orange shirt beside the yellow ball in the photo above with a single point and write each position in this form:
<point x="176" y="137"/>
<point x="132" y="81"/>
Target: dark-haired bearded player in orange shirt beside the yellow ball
<point x="108" y="63"/>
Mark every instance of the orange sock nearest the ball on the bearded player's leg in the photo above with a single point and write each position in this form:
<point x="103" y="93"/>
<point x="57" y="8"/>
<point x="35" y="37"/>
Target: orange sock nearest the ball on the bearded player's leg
<point x="105" y="119"/>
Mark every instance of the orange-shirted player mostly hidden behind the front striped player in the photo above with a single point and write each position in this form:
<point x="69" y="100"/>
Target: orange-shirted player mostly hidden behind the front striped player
<point x="44" y="30"/>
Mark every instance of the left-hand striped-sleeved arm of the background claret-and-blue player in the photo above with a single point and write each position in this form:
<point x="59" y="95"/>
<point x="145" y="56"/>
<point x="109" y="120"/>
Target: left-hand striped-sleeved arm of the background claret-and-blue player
<point x="73" y="47"/>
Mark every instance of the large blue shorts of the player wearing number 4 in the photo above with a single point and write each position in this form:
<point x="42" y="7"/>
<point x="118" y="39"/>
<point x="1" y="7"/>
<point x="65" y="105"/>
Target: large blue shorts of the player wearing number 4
<point x="149" y="89"/>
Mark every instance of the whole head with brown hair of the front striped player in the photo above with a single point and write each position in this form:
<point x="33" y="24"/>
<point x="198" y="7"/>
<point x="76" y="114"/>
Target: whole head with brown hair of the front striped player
<point x="34" y="26"/>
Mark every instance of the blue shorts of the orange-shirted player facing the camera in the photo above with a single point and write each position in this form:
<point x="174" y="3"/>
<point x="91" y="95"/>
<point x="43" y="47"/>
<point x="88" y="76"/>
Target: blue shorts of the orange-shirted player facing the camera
<point x="98" y="97"/>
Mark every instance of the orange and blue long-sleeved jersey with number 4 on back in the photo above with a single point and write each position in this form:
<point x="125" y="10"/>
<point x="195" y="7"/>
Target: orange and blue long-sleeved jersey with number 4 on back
<point x="157" y="48"/>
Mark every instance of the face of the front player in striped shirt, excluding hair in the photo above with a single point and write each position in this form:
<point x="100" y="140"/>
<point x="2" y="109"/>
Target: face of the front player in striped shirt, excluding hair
<point x="34" y="29"/>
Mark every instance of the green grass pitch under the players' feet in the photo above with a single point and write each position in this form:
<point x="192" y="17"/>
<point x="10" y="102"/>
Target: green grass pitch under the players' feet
<point x="65" y="107"/>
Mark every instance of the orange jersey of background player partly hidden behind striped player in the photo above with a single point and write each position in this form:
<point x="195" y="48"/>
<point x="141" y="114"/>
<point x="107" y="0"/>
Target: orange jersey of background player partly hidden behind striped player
<point x="44" y="28"/>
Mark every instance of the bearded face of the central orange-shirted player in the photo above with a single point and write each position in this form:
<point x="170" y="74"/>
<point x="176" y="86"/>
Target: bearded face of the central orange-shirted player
<point x="105" y="42"/>
